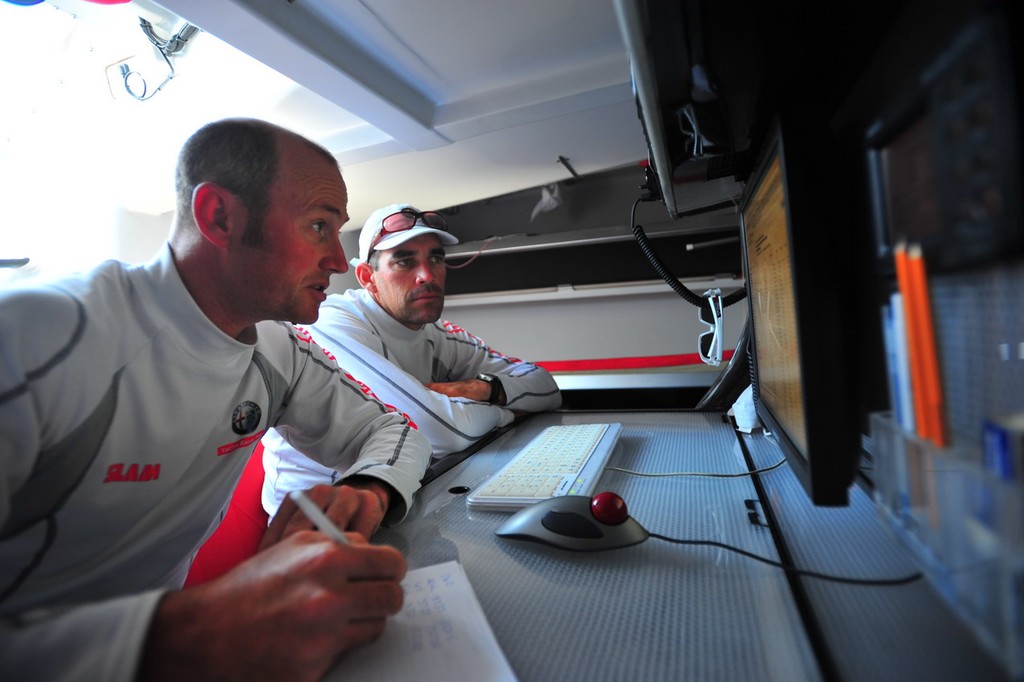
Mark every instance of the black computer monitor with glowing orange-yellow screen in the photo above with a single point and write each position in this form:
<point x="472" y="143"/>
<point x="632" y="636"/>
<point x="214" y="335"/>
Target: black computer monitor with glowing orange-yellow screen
<point x="796" y="293"/>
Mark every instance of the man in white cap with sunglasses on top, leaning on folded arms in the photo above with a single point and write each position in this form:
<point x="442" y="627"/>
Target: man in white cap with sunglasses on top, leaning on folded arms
<point x="387" y="335"/>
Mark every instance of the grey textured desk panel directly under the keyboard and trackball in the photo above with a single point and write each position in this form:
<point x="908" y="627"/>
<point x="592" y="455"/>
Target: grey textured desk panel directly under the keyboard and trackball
<point x="653" y="612"/>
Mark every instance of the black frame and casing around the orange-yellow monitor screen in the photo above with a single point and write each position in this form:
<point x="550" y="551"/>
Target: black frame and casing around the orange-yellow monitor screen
<point x="821" y="286"/>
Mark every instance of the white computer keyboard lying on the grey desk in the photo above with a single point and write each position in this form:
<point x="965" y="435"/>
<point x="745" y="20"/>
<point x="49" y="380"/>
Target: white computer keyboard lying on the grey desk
<point x="567" y="459"/>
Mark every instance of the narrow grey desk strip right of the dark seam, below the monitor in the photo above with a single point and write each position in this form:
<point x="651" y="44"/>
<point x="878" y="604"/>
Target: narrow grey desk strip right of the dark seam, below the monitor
<point x="872" y="633"/>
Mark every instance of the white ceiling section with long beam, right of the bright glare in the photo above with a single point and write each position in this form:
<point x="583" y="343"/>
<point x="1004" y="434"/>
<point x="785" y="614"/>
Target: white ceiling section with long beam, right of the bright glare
<point x="462" y="100"/>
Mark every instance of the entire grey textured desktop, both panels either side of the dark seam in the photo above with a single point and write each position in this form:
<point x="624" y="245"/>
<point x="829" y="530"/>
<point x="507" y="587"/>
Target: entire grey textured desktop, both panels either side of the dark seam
<point x="665" y="612"/>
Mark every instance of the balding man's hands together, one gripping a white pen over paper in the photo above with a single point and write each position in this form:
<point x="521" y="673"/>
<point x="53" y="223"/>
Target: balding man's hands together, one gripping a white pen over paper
<point x="288" y="613"/>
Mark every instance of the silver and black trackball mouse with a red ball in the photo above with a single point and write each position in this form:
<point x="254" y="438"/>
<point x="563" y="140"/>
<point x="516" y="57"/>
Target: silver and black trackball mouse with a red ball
<point x="577" y="523"/>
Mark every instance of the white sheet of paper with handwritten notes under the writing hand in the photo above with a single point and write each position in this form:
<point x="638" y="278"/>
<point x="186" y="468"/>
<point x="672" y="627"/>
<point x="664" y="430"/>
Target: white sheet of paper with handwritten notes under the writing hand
<point x="441" y="634"/>
